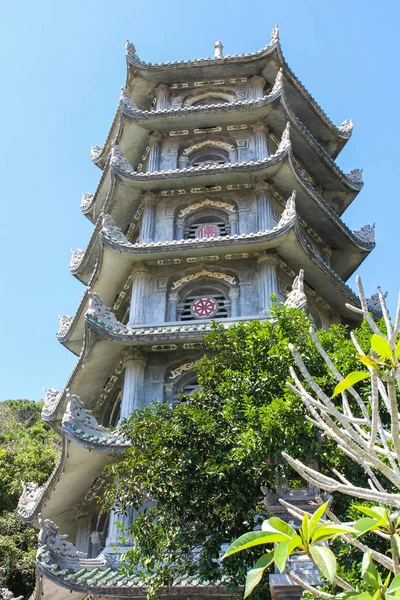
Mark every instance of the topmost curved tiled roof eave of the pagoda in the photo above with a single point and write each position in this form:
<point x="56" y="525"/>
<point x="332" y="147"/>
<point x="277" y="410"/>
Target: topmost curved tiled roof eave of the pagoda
<point x="266" y="62"/>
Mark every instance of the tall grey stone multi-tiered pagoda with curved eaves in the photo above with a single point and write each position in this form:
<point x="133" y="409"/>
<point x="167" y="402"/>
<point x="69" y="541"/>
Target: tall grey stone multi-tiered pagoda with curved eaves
<point x="219" y="189"/>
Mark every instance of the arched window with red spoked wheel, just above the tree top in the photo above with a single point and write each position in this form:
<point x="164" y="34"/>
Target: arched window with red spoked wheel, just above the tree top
<point x="204" y="301"/>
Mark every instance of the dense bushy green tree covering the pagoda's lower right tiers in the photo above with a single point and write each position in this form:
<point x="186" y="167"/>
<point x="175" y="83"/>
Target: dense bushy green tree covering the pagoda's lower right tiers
<point x="204" y="462"/>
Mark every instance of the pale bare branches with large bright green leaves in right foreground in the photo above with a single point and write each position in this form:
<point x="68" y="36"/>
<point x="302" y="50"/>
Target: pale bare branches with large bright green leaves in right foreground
<point x="366" y="431"/>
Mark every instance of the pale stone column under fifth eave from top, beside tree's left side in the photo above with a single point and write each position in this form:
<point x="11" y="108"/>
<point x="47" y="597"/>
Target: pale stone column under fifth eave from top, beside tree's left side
<point x="132" y="394"/>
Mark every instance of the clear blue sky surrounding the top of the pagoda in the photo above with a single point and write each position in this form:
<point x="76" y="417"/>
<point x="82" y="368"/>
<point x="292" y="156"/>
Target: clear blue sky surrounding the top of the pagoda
<point x="62" y="66"/>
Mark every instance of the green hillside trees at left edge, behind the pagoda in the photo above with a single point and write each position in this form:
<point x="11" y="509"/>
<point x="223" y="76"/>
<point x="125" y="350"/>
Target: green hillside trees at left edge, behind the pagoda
<point x="28" y="452"/>
